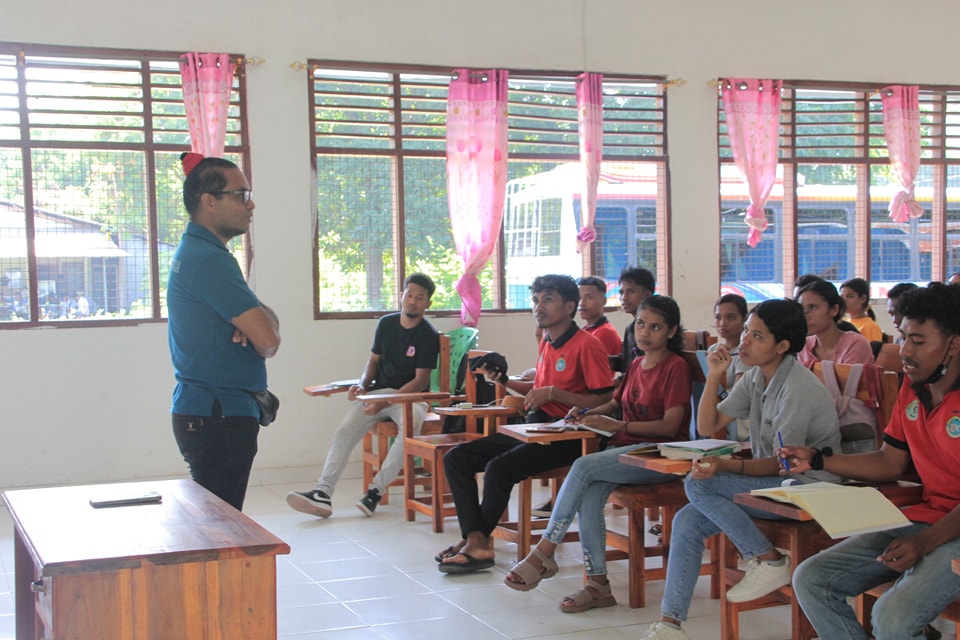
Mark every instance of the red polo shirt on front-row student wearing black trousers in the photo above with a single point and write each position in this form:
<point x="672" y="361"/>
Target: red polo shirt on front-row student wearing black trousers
<point x="575" y="362"/>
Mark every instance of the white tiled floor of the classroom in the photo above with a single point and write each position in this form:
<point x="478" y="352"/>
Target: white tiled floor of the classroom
<point x="357" y="578"/>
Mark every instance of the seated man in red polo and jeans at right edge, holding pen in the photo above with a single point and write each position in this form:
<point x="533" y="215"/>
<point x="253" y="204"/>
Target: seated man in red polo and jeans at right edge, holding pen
<point x="923" y="430"/>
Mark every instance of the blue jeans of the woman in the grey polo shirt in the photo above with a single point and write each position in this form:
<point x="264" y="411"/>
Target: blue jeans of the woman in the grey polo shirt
<point x="711" y="510"/>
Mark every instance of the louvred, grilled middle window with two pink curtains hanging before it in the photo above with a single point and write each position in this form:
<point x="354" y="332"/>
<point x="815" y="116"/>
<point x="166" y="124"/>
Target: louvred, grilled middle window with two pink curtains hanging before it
<point x="379" y="150"/>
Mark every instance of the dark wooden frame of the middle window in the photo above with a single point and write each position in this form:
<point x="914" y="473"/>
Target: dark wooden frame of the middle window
<point x="398" y="153"/>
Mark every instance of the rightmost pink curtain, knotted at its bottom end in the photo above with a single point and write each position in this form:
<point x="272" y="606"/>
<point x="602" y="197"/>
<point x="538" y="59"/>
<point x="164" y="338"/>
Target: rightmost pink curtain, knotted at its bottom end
<point x="901" y="126"/>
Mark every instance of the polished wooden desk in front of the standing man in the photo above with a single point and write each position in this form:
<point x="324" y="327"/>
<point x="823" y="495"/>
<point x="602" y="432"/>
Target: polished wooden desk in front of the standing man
<point x="191" y="567"/>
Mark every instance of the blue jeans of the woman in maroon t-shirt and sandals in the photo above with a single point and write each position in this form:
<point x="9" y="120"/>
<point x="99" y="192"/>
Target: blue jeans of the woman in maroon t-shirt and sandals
<point x="585" y="491"/>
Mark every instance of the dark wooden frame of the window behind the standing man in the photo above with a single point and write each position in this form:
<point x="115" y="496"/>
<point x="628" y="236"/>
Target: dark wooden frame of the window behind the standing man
<point x="148" y="147"/>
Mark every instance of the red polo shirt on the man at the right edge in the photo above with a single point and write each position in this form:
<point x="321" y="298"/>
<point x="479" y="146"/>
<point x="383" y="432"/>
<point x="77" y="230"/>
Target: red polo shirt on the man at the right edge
<point x="933" y="440"/>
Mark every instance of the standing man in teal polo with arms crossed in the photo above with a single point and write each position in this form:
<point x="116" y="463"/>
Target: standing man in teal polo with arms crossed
<point x="220" y="333"/>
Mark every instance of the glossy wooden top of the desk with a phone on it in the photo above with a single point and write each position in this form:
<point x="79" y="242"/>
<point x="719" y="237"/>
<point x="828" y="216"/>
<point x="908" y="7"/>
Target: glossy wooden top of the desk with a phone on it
<point x="66" y="535"/>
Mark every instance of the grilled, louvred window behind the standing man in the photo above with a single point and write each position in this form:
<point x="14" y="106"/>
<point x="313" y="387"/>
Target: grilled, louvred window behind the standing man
<point x="90" y="182"/>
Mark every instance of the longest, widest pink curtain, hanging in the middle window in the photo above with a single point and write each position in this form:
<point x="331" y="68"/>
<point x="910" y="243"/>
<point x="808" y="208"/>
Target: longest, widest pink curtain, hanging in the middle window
<point x="476" y="174"/>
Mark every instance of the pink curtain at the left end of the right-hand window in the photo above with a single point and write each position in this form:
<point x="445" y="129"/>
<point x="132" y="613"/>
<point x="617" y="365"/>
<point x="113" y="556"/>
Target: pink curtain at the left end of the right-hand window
<point x="752" y="109"/>
